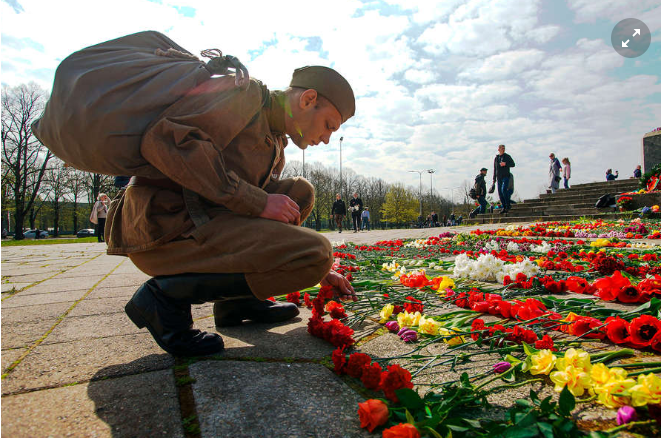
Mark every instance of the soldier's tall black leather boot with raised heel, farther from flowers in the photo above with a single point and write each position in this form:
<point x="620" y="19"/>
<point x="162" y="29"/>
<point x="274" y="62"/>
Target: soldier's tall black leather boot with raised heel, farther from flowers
<point x="163" y="305"/>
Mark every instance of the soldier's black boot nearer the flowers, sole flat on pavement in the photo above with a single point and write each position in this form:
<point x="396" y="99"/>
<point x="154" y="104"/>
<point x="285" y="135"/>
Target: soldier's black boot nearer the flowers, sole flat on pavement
<point x="233" y="312"/>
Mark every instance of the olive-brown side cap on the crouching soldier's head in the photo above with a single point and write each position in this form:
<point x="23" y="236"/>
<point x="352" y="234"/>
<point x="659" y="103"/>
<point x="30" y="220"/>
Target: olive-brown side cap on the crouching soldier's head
<point x="329" y="84"/>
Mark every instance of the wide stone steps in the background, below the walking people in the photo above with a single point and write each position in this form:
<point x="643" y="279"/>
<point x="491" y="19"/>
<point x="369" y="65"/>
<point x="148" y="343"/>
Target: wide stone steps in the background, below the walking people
<point x="565" y="204"/>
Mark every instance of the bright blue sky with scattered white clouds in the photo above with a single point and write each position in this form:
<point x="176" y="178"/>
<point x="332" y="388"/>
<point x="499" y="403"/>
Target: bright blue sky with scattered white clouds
<point x="438" y="84"/>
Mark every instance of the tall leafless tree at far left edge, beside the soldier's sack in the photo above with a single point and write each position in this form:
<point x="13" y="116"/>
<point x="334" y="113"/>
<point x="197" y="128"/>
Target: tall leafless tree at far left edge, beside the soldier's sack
<point x="23" y="156"/>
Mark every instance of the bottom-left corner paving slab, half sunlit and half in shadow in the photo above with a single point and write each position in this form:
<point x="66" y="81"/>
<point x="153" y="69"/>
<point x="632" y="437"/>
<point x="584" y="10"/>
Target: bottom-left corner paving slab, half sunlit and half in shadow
<point x="144" y="405"/>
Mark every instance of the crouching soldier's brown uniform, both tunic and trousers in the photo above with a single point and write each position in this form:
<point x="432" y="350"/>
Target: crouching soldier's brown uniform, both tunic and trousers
<point x="227" y="145"/>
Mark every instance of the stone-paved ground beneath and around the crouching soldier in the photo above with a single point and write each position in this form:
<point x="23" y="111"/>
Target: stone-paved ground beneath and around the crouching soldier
<point x="75" y="366"/>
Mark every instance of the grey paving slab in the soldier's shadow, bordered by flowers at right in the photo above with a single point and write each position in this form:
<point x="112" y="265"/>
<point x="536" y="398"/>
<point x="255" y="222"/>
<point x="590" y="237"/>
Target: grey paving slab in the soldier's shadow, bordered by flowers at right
<point x="246" y="399"/>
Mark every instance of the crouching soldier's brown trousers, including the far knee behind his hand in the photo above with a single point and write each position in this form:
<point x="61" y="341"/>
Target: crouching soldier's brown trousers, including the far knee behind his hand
<point x="276" y="258"/>
